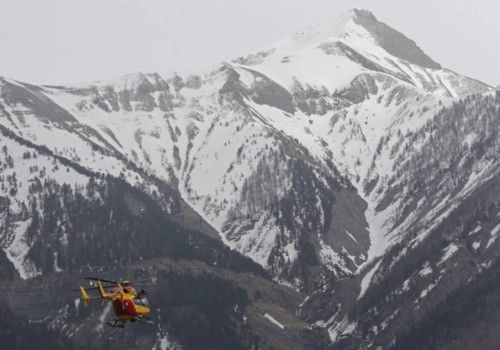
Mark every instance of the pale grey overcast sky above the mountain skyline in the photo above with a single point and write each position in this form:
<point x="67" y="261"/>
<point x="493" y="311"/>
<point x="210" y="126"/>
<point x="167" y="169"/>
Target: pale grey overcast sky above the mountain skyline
<point x="63" y="41"/>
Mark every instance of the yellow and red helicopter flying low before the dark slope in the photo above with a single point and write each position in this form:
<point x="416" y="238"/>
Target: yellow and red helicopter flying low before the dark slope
<point x="127" y="304"/>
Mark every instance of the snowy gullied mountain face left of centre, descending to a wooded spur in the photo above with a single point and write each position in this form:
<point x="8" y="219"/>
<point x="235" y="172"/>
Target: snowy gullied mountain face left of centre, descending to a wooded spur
<point x="174" y="144"/>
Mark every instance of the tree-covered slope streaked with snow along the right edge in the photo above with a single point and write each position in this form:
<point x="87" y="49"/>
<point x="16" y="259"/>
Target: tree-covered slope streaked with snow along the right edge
<point x="454" y="176"/>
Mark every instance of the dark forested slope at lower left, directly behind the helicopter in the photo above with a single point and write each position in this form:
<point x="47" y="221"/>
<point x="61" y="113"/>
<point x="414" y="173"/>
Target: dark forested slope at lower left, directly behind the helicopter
<point x="104" y="226"/>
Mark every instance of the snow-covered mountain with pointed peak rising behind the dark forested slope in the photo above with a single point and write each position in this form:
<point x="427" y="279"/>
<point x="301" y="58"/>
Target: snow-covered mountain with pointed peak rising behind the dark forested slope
<point x="330" y="158"/>
